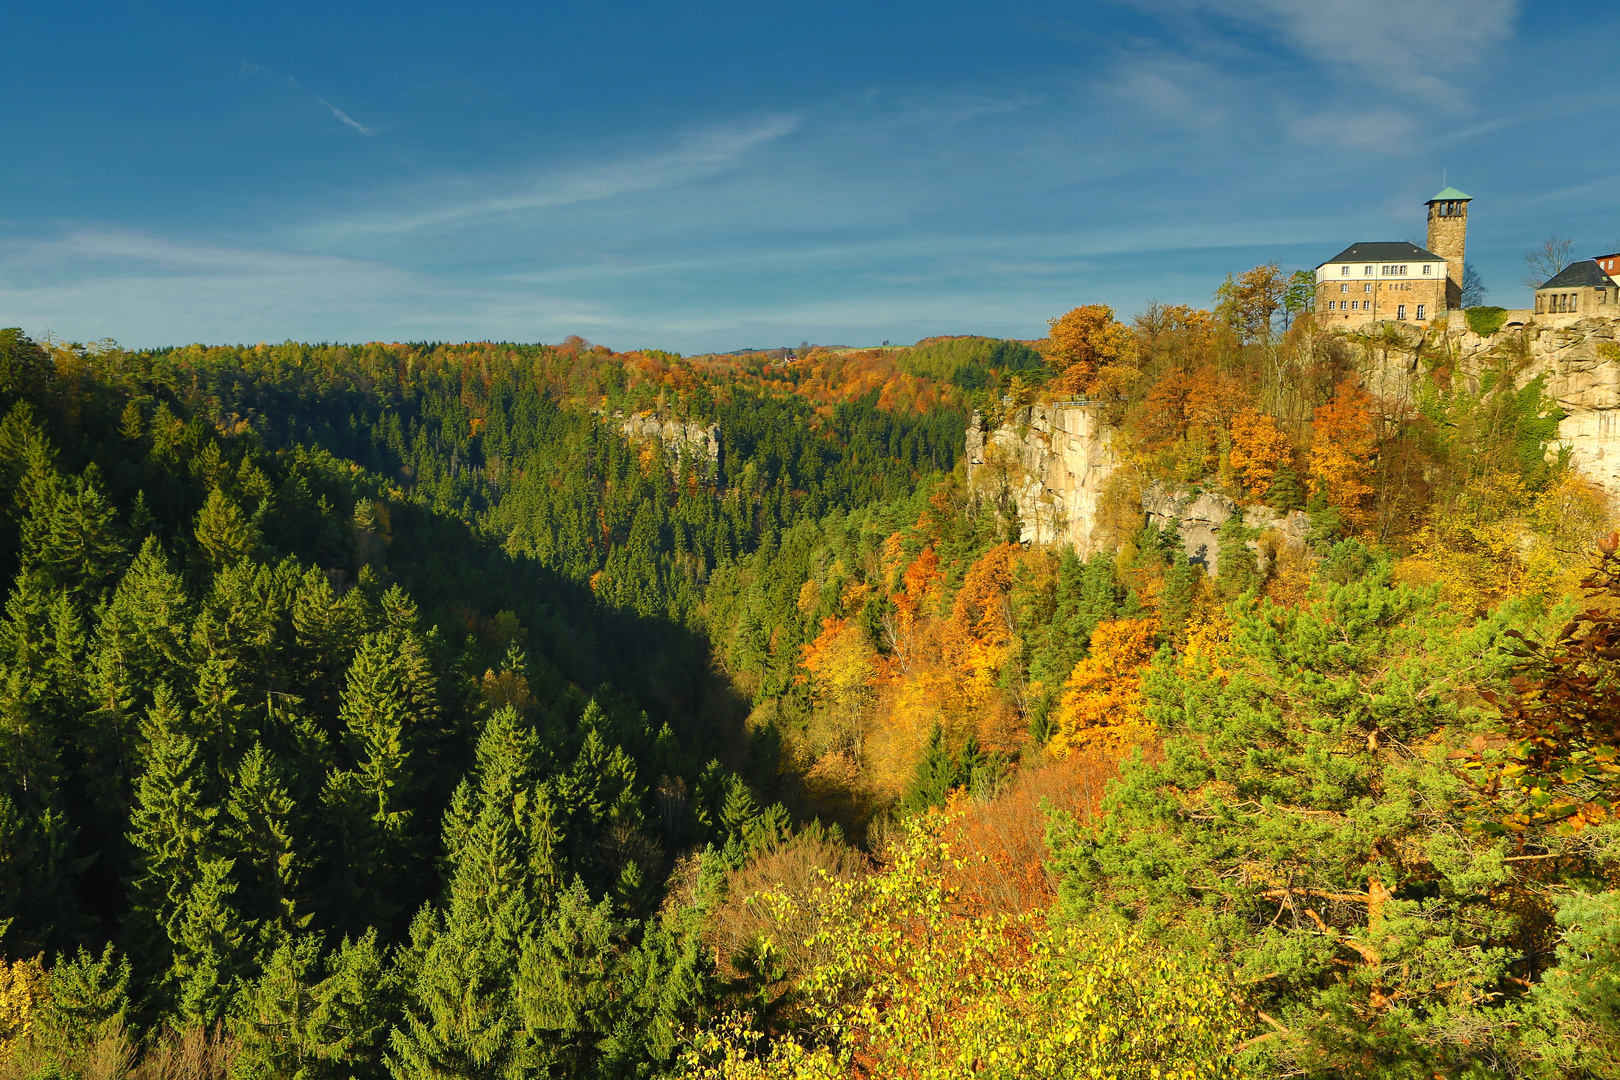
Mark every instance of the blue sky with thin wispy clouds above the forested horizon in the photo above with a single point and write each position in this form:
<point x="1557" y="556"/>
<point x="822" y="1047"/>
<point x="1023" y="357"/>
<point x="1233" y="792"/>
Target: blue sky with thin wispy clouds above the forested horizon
<point x="718" y="176"/>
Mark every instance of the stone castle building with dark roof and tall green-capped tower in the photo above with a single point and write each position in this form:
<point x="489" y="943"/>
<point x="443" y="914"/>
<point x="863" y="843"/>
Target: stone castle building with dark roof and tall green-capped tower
<point x="1376" y="281"/>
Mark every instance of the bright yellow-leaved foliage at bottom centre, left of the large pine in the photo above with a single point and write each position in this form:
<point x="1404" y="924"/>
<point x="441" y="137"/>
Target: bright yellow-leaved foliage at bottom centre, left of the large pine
<point x="911" y="987"/>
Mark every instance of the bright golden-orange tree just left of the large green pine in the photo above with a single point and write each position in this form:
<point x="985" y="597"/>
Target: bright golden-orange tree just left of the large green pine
<point x="1102" y="700"/>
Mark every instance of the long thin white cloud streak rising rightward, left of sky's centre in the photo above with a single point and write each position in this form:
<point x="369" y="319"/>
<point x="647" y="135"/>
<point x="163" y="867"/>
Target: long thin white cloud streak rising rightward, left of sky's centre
<point x="697" y="155"/>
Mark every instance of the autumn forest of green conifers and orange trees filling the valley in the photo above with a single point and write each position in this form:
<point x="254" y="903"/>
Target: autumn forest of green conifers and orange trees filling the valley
<point x="401" y="712"/>
